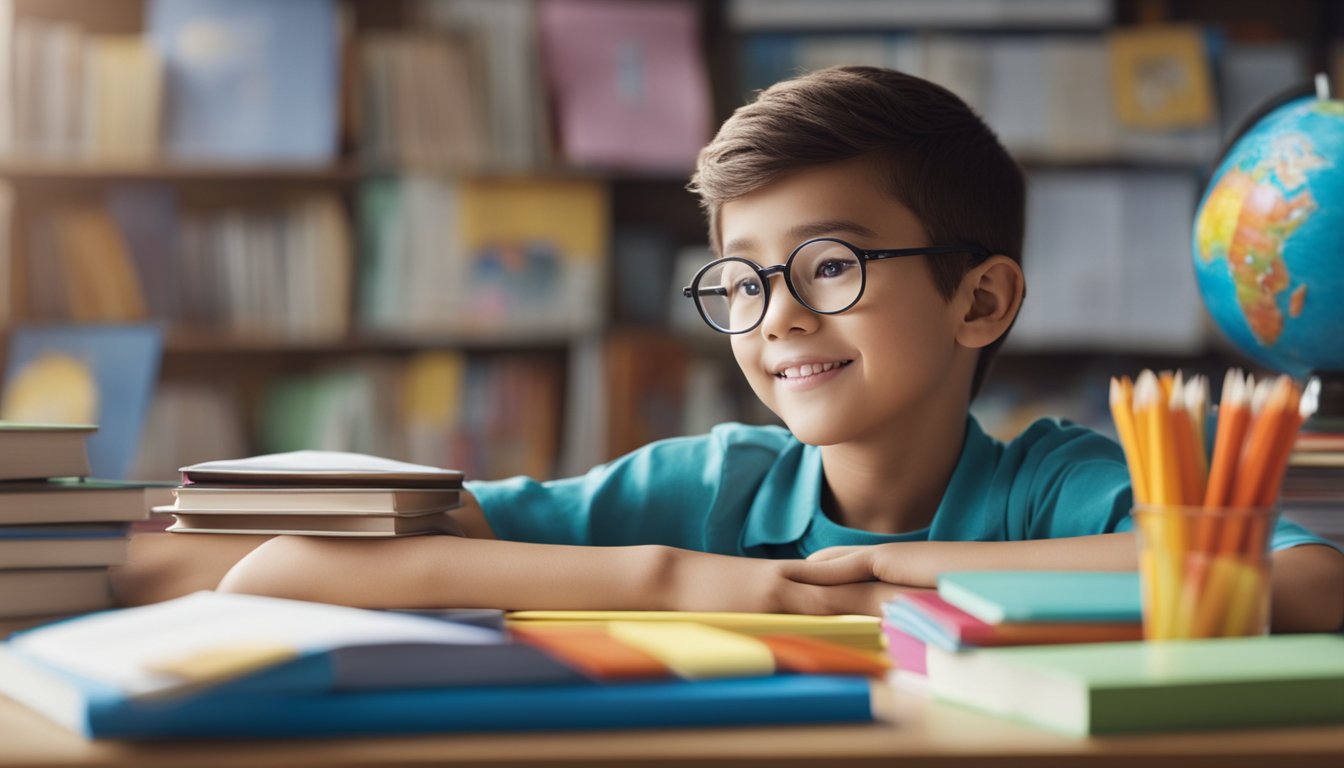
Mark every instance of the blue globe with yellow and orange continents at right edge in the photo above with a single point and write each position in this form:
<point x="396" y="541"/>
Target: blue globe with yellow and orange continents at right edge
<point x="1269" y="240"/>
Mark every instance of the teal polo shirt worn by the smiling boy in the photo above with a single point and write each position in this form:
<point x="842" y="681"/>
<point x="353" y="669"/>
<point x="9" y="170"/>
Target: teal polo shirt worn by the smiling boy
<point x="757" y="492"/>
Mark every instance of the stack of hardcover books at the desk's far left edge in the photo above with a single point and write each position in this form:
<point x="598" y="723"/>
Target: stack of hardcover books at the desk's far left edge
<point x="60" y="532"/>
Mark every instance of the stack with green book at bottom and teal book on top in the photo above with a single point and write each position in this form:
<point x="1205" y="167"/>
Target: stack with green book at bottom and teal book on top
<point x="1061" y="675"/>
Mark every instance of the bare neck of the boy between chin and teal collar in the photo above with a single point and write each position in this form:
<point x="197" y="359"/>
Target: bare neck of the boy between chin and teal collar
<point x="894" y="485"/>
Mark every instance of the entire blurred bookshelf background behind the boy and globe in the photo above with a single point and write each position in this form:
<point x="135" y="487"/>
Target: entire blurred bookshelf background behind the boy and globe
<point x="455" y="232"/>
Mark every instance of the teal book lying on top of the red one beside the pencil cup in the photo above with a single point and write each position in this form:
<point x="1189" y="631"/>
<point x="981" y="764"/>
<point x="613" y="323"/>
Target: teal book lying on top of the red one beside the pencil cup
<point x="1057" y="597"/>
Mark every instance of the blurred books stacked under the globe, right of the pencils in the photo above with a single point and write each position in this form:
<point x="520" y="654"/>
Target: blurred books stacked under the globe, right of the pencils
<point x="1314" y="486"/>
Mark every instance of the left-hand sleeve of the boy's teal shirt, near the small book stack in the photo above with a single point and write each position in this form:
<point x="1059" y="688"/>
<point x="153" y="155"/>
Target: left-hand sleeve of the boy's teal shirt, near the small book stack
<point x="658" y="494"/>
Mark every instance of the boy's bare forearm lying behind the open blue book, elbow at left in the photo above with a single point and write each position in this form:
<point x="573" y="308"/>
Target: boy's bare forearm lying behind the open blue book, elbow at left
<point x="439" y="571"/>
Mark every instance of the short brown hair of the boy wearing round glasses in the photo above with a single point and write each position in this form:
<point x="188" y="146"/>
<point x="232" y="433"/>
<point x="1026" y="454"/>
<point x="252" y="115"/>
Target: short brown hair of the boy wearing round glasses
<point x="939" y="157"/>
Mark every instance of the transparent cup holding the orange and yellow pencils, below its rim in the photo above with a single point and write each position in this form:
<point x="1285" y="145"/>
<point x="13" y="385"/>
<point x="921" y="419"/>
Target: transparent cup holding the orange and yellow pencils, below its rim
<point x="1205" y="571"/>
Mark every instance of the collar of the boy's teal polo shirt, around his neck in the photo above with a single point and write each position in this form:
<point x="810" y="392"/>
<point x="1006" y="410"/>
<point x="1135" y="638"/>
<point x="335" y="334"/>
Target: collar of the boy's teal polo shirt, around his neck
<point x="791" y="494"/>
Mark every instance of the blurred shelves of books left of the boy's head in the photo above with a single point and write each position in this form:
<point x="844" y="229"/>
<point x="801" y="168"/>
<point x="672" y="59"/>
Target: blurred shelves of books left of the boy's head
<point x="380" y="227"/>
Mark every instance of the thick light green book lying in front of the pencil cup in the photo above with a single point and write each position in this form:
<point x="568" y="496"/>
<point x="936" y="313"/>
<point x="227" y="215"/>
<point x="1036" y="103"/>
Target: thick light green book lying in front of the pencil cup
<point x="1118" y="688"/>
